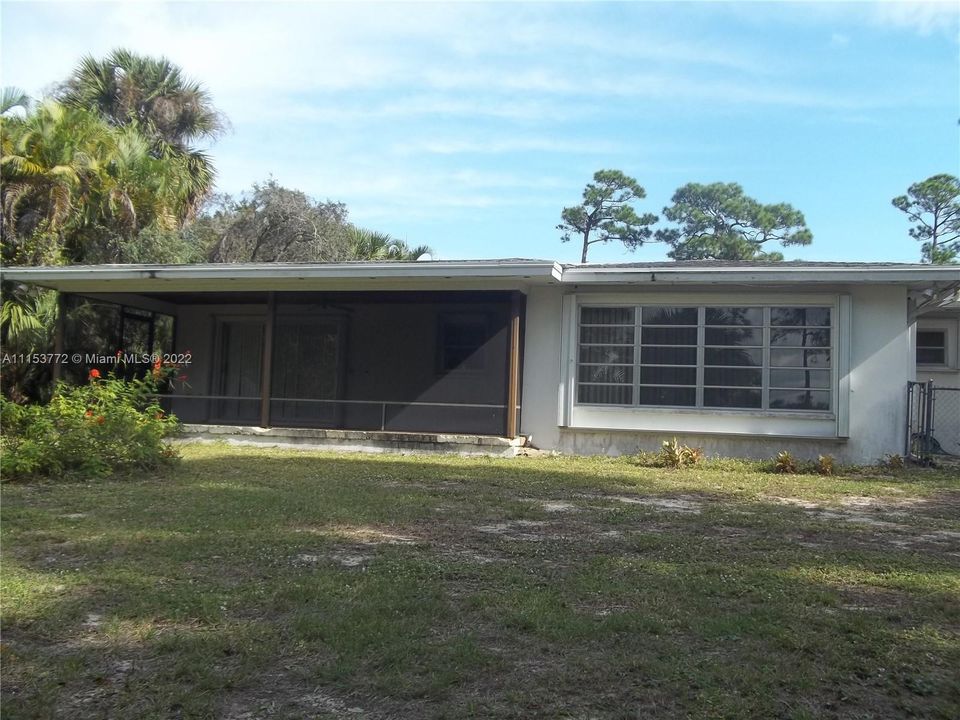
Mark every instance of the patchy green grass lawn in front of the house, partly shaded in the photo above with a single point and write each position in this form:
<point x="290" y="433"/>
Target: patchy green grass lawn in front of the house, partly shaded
<point x="249" y="583"/>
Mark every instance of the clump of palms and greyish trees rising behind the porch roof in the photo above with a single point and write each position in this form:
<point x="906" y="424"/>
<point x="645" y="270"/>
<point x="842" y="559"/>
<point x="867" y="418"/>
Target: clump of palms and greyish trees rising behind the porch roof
<point x="108" y="169"/>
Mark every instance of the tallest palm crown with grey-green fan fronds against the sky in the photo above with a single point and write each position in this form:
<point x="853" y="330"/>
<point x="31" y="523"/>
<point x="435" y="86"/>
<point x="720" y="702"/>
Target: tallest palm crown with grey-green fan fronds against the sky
<point x="152" y="95"/>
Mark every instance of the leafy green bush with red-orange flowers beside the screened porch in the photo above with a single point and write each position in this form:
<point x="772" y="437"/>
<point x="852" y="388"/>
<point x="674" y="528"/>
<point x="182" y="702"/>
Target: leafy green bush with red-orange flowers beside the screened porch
<point x="87" y="431"/>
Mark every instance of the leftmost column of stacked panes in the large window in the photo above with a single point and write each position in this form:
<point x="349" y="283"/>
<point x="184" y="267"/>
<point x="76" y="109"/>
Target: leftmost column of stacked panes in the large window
<point x="605" y="371"/>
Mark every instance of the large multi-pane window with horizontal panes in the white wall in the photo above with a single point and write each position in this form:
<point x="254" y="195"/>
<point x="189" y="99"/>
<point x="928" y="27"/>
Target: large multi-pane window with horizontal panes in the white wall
<point x="733" y="357"/>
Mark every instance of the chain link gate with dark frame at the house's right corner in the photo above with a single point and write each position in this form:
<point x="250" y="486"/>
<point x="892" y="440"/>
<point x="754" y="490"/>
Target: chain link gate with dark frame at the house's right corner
<point x="933" y="421"/>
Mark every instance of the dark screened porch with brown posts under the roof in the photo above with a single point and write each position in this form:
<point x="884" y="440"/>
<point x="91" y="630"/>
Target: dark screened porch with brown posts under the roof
<point x="402" y="361"/>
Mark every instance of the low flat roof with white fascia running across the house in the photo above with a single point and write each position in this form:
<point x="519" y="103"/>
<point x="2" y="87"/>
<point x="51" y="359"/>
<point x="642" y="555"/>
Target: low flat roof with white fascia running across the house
<point x="473" y="274"/>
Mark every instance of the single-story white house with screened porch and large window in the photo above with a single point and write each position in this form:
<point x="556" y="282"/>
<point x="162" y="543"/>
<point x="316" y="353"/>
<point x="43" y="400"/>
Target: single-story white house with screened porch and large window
<point x="741" y="359"/>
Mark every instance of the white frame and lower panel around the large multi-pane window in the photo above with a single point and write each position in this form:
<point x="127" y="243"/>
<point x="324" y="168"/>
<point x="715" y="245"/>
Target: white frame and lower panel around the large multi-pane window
<point x="834" y="423"/>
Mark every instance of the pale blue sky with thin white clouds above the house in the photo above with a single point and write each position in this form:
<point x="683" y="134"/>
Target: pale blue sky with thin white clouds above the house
<point x="468" y="126"/>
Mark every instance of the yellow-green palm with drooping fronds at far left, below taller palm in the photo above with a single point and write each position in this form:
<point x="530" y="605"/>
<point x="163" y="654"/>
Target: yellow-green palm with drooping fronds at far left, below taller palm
<point x="72" y="185"/>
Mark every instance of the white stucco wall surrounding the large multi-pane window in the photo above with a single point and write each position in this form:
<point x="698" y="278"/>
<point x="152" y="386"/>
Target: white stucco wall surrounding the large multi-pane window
<point x="879" y="359"/>
